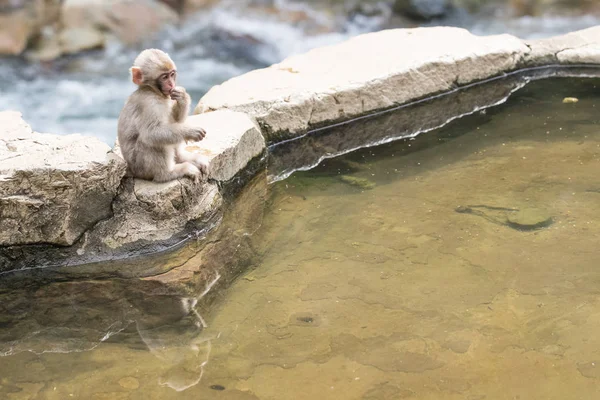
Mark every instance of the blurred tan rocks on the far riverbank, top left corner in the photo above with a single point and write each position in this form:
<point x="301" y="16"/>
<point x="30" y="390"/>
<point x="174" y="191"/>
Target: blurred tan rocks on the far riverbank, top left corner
<point x="50" y="29"/>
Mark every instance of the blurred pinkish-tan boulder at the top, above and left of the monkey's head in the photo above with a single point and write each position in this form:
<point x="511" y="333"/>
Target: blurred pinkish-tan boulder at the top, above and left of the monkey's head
<point x="131" y="21"/>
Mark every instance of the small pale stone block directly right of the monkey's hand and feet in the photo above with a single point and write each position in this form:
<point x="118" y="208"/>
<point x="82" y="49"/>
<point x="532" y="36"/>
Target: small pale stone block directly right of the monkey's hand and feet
<point x="232" y="141"/>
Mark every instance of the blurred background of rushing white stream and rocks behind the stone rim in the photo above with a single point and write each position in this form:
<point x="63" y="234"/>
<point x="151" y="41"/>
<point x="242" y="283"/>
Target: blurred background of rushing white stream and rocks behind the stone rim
<point x="64" y="63"/>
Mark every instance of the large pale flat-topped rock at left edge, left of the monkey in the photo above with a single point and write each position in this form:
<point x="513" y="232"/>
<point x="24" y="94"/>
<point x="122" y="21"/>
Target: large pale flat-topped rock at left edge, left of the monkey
<point x="52" y="187"/>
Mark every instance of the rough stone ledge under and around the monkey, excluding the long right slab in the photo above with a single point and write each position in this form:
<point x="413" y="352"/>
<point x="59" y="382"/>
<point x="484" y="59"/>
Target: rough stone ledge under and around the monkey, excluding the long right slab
<point x="124" y="217"/>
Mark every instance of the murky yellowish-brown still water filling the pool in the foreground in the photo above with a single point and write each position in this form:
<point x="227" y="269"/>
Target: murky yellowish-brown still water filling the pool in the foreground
<point x="388" y="273"/>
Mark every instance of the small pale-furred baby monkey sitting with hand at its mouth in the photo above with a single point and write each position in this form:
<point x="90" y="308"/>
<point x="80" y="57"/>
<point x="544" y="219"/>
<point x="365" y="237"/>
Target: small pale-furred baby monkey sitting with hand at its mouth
<point x="152" y="133"/>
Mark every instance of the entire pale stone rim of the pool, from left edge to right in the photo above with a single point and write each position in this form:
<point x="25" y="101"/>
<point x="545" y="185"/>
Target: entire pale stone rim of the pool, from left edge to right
<point x="68" y="194"/>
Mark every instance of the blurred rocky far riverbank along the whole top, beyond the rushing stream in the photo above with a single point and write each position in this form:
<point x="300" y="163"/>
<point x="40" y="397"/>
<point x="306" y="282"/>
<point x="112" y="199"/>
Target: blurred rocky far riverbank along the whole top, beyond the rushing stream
<point x="44" y="30"/>
